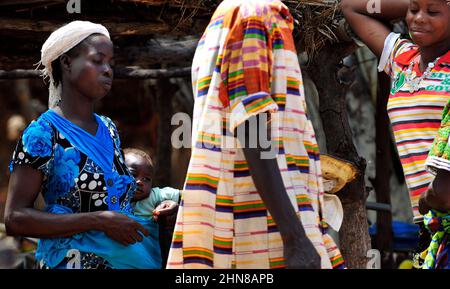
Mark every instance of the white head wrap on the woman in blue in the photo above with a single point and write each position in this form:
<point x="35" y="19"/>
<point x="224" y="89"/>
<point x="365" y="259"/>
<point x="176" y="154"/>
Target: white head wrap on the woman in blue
<point x="58" y="43"/>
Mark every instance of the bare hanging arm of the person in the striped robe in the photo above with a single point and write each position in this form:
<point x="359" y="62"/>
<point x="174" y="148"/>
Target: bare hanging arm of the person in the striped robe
<point x="299" y="251"/>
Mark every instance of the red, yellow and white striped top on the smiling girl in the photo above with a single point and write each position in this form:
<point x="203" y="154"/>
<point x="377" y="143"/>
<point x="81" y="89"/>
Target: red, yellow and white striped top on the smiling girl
<point x="415" y="117"/>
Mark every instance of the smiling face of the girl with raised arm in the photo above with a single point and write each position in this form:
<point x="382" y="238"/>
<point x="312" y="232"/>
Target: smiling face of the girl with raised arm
<point x="429" y="22"/>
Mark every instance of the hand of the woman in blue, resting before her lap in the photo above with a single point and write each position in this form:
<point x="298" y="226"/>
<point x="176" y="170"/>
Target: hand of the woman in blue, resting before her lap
<point x="121" y="228"/>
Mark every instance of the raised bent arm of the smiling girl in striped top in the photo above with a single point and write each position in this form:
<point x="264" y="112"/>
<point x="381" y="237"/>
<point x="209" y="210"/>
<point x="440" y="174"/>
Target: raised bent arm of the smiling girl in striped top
<point x="369" y="23"/>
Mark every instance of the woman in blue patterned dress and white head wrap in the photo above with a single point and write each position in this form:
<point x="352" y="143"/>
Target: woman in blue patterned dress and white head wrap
<point x="73" y="157"/>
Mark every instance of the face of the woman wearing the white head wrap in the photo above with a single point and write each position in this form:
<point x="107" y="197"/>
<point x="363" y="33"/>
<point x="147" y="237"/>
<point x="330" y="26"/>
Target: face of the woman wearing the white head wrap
<point x="91" y="70"/>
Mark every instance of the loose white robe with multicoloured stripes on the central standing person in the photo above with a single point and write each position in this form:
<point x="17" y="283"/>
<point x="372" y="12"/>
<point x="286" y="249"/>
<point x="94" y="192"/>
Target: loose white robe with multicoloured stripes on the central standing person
<point x="246" y="64"/>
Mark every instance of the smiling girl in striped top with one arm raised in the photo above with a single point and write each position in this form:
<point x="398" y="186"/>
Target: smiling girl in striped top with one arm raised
<point x="420" y="73"/>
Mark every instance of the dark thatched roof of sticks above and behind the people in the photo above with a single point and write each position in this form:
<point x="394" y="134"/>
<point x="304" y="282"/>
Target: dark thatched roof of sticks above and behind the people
<point x="25" y="24"/>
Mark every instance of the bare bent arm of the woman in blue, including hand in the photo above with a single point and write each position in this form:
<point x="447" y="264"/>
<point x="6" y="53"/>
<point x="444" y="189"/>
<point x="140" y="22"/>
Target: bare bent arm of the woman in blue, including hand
<point x="21" y="219"/>
